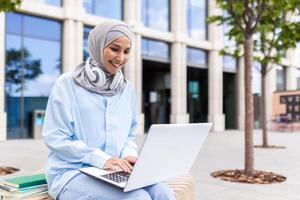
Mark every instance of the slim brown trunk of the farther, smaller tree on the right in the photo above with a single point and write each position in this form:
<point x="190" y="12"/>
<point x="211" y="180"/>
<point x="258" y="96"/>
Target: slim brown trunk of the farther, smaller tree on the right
<point x="263" y="106"/>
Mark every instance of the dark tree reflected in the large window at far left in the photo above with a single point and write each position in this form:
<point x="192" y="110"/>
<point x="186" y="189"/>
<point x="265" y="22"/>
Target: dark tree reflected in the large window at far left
<point x="17" y="70"/>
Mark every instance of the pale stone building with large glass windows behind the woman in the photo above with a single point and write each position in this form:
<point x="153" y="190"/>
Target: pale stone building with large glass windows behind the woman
<point x="176" y="67"/>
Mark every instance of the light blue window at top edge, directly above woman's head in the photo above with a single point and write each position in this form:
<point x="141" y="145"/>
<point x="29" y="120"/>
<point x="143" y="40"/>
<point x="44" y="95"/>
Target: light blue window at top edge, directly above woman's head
<point x="105" y="8"/>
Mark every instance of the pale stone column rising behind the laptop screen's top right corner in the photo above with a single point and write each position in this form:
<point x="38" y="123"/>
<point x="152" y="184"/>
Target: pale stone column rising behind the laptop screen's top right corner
<point x="215" y="72"/>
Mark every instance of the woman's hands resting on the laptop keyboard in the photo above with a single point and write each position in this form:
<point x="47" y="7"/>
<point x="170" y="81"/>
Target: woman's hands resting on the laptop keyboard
<point x="118" y="164"/>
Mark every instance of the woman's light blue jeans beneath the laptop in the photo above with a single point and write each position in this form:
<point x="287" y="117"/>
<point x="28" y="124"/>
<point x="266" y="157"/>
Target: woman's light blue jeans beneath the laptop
<point x="82" y="187"/>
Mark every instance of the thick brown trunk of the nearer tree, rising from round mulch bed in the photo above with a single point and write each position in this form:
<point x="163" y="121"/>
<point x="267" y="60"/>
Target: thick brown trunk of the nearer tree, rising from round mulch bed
<point x="249" y="159"/>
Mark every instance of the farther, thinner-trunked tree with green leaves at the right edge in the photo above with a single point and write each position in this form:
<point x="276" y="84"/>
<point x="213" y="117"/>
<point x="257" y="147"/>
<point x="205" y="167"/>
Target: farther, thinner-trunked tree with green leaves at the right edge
<point x="276" y="35"/>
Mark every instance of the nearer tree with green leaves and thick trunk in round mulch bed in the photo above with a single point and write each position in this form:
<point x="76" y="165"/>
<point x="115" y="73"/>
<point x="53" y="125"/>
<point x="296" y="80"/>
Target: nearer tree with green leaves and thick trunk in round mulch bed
<point x="243" y="18"/>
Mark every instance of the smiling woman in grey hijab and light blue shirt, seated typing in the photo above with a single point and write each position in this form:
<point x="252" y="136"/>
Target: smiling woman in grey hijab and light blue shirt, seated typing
<point x="90" y="121"/>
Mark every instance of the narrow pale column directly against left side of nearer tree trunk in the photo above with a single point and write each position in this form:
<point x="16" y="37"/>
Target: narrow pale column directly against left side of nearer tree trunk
<point x="241" y="95"/>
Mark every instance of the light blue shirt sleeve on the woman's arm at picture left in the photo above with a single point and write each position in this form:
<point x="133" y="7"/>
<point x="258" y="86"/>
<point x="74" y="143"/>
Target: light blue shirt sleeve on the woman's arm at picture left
<point x="58" y="132"/>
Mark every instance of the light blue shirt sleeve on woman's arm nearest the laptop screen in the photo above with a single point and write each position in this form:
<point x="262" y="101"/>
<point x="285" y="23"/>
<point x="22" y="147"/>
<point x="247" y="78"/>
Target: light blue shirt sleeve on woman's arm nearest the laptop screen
<point x="130" y="147"/>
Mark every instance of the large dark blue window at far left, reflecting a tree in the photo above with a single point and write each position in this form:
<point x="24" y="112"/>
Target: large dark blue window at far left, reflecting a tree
<point x="33" y="63"/>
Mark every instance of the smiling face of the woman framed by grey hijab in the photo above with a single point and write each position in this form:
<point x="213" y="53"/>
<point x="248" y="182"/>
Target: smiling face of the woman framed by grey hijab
<point x="116" y="54"/>
